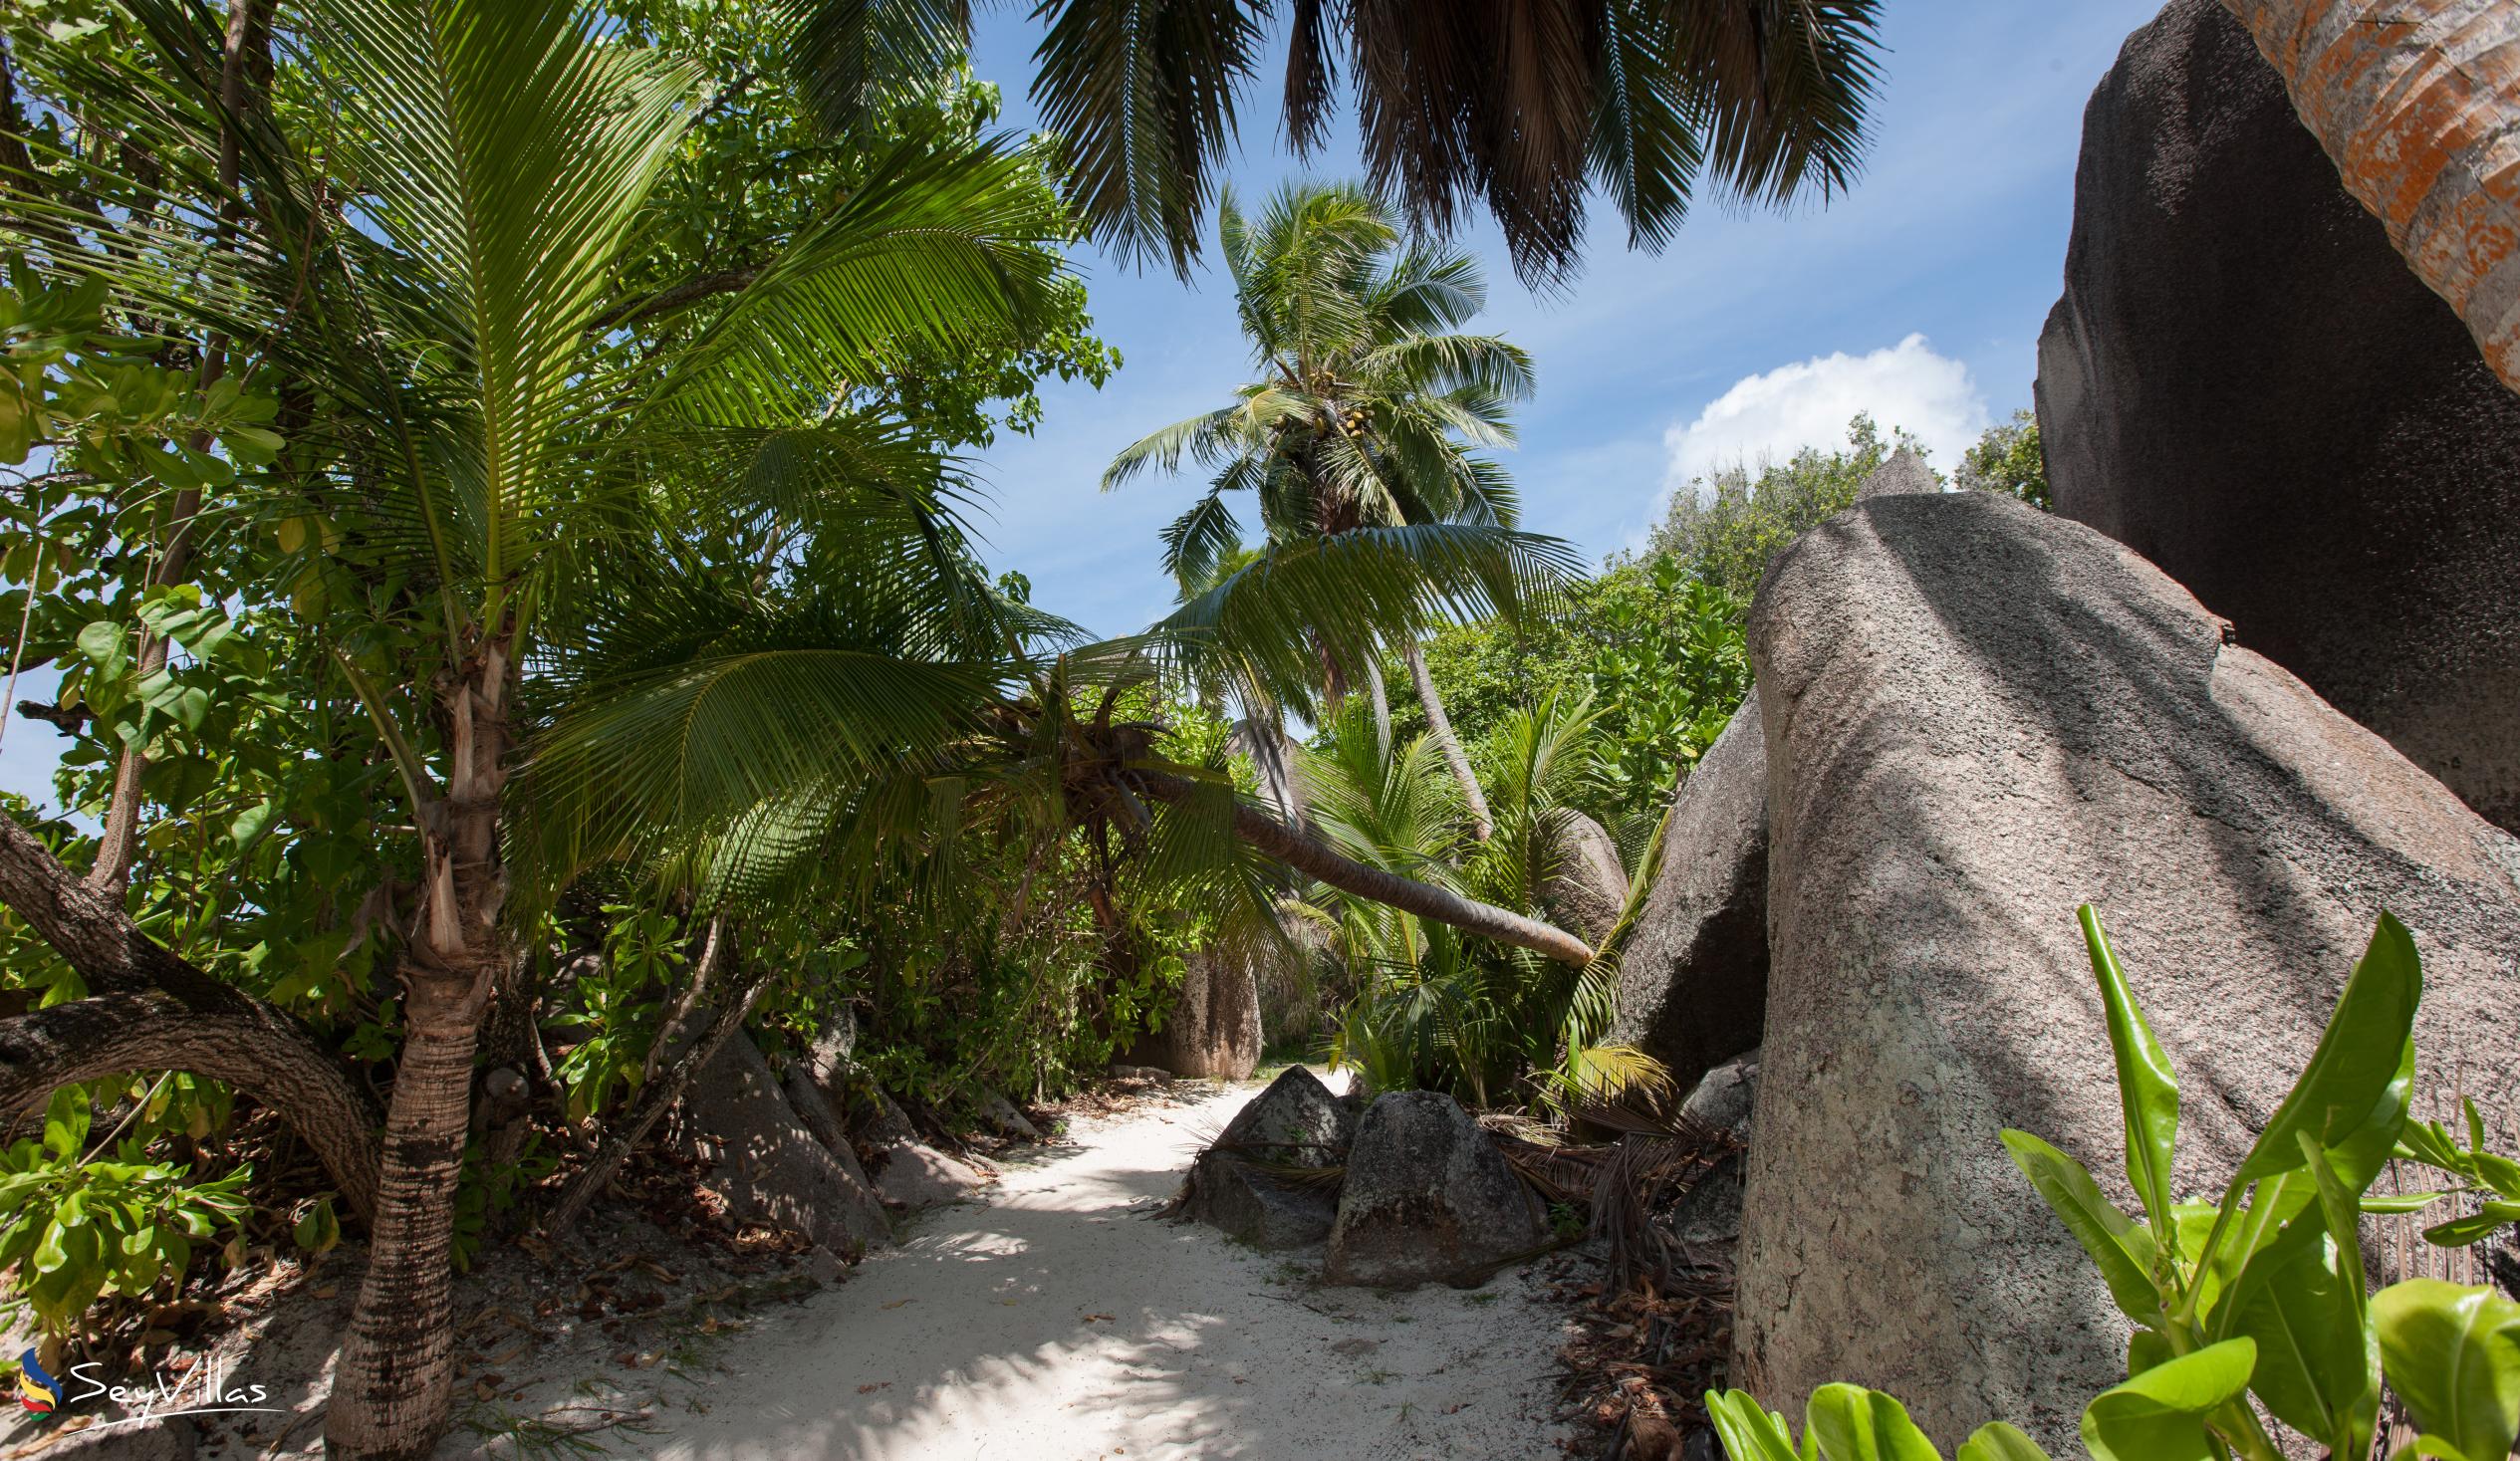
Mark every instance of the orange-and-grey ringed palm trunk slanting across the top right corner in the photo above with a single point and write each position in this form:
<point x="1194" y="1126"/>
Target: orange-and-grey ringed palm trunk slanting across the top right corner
<point x="2420" y="107"/>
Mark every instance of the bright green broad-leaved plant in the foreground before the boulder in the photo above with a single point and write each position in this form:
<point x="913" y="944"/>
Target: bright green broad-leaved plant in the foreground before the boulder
<point x="2259" y="1296"/>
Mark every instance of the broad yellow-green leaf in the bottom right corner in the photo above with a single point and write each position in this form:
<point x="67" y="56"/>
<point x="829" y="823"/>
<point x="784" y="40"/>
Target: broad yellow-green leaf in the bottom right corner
<point x="2453" y="1356"/>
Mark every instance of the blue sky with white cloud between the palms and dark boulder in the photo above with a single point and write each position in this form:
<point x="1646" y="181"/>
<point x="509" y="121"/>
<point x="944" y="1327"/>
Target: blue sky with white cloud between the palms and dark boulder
<point x="1919" y="298"/>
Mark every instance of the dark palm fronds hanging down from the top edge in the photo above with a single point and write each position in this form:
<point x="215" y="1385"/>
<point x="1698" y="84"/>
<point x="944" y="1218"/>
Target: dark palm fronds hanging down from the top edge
<point x="1513" y="105"/>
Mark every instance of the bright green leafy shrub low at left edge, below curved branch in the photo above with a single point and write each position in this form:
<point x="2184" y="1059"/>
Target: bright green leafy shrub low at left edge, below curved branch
<point x="79" y="1228"/>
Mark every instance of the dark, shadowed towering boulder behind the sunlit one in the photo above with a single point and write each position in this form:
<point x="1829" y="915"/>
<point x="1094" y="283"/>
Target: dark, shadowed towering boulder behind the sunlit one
<point x="2249" y="387"/>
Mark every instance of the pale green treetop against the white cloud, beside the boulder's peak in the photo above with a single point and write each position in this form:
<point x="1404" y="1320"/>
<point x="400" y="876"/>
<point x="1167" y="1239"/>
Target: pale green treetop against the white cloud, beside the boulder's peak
<point x="1730" y="525"/>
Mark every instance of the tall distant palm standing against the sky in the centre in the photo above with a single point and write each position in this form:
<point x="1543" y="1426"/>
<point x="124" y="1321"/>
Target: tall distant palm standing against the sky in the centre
<point x="1367" y="412"/>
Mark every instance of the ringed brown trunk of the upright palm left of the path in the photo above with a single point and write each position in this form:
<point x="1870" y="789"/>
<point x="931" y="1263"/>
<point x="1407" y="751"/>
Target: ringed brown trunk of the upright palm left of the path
<point x="397" y="1364"/>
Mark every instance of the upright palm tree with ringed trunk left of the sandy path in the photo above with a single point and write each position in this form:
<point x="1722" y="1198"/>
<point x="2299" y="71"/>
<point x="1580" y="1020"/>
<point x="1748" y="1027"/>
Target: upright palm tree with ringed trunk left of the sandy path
<point x="493" y="417"/>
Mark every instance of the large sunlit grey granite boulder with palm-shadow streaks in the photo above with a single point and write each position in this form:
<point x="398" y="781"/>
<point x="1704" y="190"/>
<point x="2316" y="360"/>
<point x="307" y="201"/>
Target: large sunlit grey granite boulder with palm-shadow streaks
<point x="1977" y="719"/>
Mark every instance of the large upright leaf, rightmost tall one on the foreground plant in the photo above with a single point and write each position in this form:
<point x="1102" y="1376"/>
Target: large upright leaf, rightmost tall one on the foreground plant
<point x="2352" y="1097"/>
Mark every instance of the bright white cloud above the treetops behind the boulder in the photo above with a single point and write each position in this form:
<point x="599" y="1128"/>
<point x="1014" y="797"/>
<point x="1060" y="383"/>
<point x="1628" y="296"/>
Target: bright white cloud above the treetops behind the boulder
<point x="1811" y="404"/>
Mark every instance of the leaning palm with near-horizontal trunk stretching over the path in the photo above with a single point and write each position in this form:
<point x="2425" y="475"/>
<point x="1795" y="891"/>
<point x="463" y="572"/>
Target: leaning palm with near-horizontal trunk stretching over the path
<point x="704" y="722"/>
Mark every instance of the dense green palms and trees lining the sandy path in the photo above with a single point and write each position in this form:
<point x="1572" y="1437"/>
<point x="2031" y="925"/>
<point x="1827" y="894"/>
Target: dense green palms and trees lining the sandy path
<point x="488" y="480"/>
